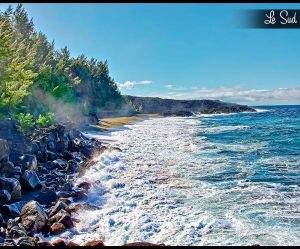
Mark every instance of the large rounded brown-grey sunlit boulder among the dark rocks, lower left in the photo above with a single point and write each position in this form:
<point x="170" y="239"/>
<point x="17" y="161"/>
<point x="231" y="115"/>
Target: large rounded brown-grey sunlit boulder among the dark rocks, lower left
<point x="34" y="217"/>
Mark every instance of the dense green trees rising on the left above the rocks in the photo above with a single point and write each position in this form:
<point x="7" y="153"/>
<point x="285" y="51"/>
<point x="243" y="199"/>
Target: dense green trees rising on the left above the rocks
<point x="29" y="65"/>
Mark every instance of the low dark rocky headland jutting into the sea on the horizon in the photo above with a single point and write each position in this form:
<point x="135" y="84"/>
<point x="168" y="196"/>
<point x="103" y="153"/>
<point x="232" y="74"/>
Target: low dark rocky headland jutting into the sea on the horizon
<point x="170" y="107"/>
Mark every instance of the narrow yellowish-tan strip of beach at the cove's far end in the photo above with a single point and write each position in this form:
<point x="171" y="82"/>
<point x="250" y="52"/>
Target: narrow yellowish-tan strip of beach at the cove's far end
<point x="109" y="123"/>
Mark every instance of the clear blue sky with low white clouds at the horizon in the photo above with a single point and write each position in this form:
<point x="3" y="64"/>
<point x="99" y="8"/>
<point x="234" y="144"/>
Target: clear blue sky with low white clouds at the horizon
<point x="180" y="51"/>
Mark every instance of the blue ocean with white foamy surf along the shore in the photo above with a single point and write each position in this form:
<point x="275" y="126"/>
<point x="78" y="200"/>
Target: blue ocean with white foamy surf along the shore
<point x="224" y="179"/>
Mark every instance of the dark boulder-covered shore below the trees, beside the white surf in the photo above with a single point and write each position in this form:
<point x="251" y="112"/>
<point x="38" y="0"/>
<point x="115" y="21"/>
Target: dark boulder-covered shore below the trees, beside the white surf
<point x="37" y="183"/>
